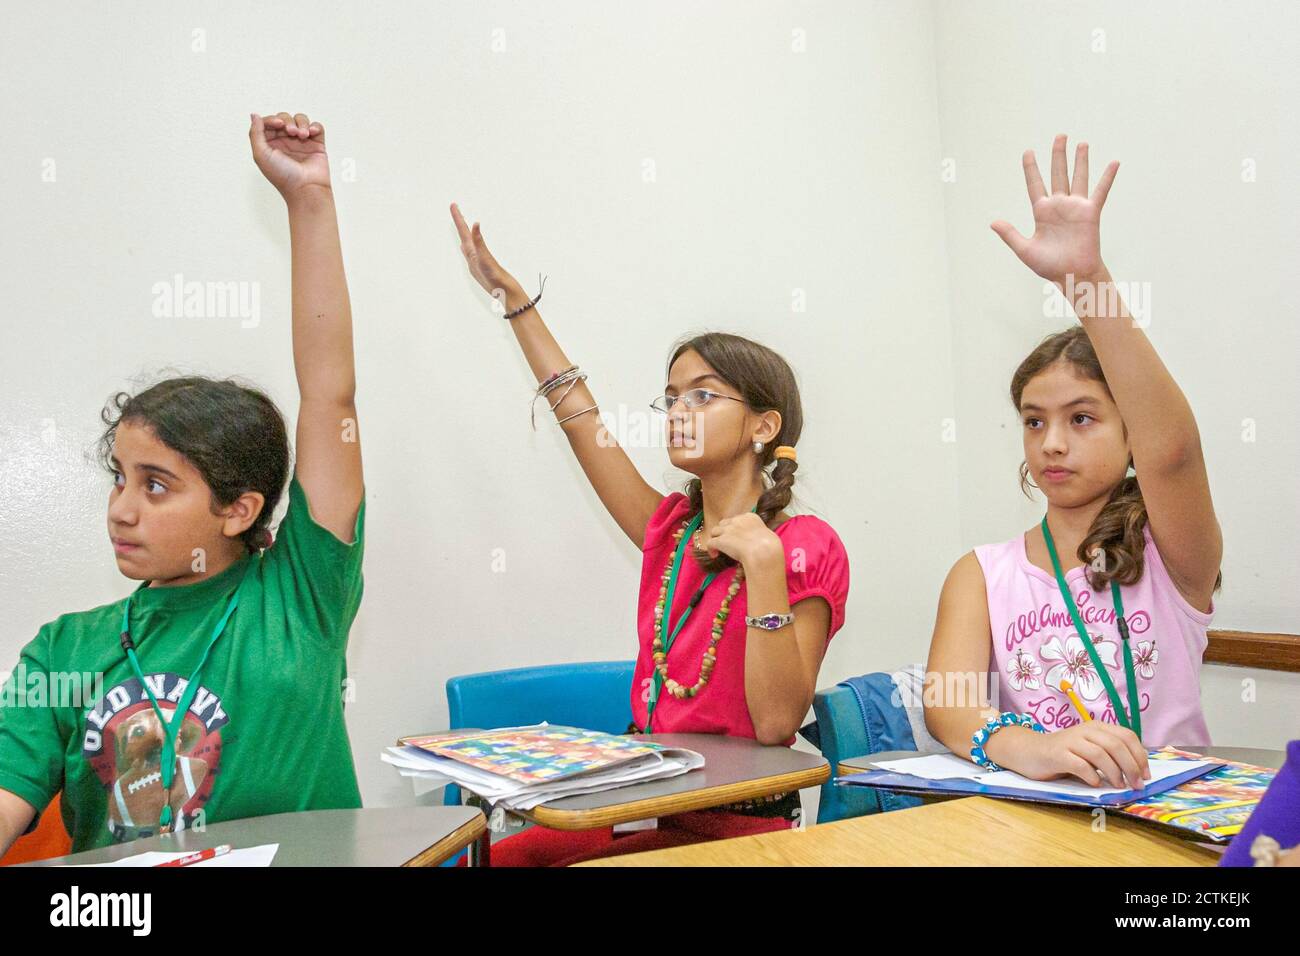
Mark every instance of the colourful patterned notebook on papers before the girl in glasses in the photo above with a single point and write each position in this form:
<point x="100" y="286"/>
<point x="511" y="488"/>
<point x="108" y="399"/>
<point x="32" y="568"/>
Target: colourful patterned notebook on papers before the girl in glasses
<point x="535" y="755"/>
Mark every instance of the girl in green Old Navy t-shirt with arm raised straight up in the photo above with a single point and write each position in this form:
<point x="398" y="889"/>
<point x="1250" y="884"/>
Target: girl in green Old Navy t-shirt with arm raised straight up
<point x="215" y="691"/>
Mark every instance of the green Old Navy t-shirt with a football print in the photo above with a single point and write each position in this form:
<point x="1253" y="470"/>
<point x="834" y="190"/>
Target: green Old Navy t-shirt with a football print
<point x="266" y="730"/>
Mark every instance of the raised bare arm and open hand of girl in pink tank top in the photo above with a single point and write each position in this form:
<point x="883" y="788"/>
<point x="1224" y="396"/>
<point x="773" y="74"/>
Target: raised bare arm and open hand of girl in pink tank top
<point x="1163" y="434"/>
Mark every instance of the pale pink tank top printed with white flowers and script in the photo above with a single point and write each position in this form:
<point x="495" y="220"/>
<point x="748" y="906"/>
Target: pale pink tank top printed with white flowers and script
<point x="1037" y="646"/>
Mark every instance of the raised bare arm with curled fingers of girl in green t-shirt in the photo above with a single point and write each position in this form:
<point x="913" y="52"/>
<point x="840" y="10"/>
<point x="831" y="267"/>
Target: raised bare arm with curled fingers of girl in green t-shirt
<point x="291" y="153"/>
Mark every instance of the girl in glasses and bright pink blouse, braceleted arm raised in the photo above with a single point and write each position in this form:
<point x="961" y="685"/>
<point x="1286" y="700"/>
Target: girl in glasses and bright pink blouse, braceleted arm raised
<point x="739" y="600"/>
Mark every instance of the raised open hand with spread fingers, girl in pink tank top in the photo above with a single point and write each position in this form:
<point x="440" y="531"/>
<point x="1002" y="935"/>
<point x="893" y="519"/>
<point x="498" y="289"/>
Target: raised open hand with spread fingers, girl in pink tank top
<point x="1068" y="223"/>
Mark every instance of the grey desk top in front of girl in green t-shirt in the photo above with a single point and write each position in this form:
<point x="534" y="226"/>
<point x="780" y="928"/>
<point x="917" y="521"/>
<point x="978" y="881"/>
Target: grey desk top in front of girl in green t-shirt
<point x="372" y="837"/>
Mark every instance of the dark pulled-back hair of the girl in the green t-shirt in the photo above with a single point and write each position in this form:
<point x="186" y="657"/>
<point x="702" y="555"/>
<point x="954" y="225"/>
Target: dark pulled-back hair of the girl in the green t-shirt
<point x="235" y="435"/>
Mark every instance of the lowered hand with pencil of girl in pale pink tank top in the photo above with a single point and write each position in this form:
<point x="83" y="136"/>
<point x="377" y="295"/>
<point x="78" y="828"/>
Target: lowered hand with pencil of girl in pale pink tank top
<point x="1098" y="754"/>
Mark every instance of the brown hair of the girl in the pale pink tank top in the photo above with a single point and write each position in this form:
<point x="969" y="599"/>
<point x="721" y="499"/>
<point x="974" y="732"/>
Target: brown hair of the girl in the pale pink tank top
<point x="1117" y="531"/>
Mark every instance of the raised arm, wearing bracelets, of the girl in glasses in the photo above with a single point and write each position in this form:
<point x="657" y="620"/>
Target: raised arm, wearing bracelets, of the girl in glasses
<point x="625" y="494"/>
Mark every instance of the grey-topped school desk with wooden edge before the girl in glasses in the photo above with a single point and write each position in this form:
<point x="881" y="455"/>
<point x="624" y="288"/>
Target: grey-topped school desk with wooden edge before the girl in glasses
<point x="735" y="769"/>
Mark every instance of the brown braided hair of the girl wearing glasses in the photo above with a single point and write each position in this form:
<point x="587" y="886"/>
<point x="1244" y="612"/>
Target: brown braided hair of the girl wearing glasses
<point x="766" y="382"/>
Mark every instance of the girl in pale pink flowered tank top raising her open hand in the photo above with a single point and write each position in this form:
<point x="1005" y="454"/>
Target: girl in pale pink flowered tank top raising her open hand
<point x="1090" y="629"/>
